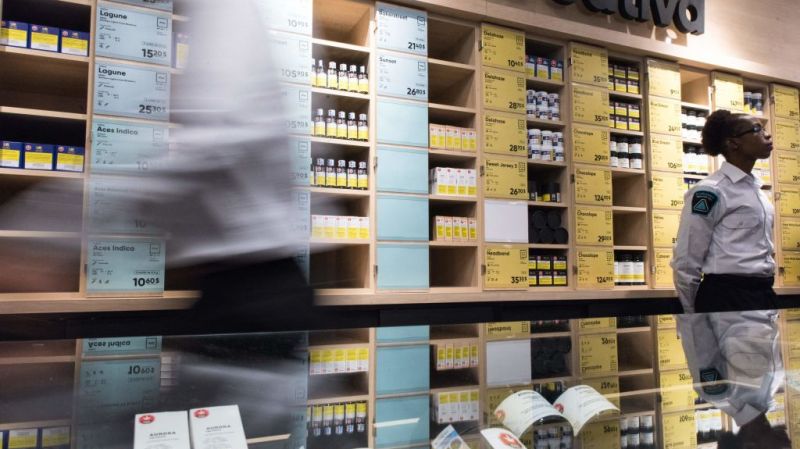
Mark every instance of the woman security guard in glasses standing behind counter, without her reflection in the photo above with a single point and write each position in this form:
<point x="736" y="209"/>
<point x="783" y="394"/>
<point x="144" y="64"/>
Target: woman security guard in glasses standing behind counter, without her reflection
<point x="725" y="231"/>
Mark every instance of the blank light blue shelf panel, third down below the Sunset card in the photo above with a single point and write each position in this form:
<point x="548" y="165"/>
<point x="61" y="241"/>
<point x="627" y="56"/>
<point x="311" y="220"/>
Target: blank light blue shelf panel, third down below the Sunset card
<point x="402" y="218"/>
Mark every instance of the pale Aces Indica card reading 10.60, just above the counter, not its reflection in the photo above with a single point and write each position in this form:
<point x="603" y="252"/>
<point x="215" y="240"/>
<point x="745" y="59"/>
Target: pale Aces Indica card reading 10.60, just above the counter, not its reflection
<point x="129" y="265"/>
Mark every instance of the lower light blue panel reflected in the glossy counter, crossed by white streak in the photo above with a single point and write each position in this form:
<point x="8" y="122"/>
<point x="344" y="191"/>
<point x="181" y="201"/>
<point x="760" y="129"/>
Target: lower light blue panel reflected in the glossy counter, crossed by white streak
<point x="402" y="421"/>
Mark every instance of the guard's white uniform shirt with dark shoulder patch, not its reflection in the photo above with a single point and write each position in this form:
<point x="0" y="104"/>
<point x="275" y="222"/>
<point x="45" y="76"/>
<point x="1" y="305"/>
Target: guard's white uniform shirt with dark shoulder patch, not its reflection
<point x="726" y="228"/>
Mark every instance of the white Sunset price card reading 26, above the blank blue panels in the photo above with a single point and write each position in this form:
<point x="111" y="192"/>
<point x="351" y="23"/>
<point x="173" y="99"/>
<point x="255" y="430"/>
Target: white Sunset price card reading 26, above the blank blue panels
<point x="402" y="76"/>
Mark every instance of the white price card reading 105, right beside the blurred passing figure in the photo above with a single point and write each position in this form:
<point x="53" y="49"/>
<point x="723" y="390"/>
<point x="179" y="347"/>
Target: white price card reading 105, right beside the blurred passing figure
<point x="292" y="57"/>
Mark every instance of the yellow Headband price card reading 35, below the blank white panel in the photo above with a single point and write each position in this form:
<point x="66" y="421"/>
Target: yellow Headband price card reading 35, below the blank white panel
<point x="506" y="267"/>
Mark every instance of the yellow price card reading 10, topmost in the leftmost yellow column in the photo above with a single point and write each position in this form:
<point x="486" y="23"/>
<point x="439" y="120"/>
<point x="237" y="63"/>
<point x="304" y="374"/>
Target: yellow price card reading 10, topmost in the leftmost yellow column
<point x="503" y="47"/>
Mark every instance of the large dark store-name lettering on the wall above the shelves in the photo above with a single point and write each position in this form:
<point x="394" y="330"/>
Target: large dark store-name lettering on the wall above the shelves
<point x="687" y="15"/>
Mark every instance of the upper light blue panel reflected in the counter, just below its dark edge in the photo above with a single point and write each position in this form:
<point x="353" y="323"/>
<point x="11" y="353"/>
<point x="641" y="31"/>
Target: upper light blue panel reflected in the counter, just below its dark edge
<point x="402" y="369"/>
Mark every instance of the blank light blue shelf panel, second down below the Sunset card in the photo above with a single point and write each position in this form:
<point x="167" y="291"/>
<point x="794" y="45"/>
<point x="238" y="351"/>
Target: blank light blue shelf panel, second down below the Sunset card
<point x="402" y="170"/>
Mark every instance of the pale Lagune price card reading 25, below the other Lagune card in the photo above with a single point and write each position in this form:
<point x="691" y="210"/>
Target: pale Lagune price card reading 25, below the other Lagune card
<point x="130" y="91"/>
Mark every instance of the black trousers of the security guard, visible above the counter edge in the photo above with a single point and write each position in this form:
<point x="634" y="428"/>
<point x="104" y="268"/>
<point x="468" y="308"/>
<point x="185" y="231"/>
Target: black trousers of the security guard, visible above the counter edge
<point x="729" y="292"/>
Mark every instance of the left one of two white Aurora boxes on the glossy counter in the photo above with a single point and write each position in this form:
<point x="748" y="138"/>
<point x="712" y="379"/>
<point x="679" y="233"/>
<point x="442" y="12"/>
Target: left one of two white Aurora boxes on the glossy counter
<point x="165" y="430"/>
